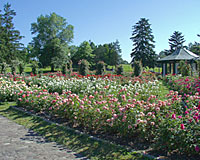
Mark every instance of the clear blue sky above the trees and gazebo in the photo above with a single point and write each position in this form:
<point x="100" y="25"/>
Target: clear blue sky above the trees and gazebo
<point x="105" y="21"/>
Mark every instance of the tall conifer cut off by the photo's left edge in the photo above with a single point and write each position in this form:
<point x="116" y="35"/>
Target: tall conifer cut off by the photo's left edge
<point x="10" y="47"/>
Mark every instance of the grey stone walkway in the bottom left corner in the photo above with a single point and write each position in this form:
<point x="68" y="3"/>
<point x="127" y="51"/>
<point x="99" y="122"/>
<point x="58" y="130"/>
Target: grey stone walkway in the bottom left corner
<point x="19" y="143"/>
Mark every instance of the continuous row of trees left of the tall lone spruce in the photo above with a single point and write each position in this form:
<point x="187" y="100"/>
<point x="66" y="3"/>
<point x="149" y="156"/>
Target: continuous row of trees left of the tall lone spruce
<point x="52" y="44"/>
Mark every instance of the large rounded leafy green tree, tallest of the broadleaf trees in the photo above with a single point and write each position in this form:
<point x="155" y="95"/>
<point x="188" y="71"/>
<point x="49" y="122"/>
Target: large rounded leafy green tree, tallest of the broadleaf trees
<point x="51" y="43"/>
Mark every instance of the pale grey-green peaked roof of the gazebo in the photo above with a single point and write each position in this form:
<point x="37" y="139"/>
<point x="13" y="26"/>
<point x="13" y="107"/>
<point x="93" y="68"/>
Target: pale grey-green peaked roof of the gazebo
<point x="180" y="54"/>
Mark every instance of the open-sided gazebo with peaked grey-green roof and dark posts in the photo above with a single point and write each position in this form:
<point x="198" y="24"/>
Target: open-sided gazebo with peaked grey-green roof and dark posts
<point x="175" y="58"/>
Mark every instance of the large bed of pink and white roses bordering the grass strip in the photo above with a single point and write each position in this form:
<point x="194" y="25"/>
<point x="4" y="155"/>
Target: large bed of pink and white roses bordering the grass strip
<point x="102" y="105"/>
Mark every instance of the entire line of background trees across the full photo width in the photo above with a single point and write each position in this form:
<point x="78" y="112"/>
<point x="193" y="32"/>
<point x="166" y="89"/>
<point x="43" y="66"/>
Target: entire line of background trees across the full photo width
<point x="52" y="44"/>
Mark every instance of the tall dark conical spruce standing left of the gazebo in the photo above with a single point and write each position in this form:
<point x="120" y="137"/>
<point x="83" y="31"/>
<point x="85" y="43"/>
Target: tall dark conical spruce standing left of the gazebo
<point x="143" y="43"/>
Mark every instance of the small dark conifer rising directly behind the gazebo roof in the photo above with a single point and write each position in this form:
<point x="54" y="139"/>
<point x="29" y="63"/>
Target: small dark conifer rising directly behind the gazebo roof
<point x="176" y="41"/>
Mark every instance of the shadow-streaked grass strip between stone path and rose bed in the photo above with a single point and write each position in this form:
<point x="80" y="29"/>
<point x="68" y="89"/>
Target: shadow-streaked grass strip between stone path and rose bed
<point x="79" y="143"/>
